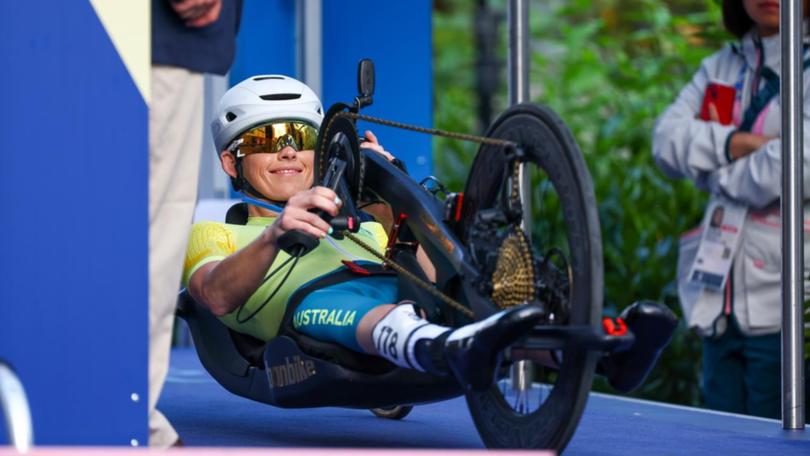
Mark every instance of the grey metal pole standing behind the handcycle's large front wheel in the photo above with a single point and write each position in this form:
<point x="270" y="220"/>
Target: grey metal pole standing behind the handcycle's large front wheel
<point x="518" y="18"/>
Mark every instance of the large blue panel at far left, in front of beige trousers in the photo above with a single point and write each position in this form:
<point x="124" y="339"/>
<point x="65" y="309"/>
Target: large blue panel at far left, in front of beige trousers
<point x="73" y="198"/>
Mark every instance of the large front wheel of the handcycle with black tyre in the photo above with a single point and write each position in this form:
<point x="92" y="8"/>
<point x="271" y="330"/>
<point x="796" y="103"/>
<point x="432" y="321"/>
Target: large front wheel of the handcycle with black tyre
<point x="561" y="224"/>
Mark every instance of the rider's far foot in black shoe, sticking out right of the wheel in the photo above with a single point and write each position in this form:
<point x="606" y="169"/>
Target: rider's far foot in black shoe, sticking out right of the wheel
<point x="652" y="324"/>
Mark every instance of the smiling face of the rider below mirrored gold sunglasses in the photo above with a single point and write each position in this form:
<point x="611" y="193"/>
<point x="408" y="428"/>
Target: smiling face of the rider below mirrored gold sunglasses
<point x="278" y="176"/>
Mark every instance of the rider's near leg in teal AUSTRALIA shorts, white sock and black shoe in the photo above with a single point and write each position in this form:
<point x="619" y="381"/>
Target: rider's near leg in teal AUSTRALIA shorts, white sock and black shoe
<point x="358" y="315"/>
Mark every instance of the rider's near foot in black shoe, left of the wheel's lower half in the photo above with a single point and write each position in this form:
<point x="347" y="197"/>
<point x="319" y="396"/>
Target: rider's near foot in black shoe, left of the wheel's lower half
<point x="473" y="352"/>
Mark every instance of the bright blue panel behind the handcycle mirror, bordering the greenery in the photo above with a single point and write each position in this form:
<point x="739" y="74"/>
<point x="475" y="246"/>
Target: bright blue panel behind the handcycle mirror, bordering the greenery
<point x="397" y="36"/>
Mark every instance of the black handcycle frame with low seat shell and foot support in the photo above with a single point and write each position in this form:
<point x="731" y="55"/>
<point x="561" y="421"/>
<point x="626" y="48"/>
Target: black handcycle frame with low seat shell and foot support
<point x="294" y="371"/>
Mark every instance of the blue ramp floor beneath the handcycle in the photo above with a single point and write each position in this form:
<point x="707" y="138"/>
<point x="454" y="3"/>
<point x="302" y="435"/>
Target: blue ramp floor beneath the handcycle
<point x="207" y="415"/>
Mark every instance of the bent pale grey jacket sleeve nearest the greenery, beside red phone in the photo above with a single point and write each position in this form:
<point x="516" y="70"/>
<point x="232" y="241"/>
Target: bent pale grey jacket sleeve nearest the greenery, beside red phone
<point x="684" y="146"/>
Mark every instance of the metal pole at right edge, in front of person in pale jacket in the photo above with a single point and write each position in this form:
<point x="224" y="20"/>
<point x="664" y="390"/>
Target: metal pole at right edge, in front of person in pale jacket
<point x="792" y="216"/>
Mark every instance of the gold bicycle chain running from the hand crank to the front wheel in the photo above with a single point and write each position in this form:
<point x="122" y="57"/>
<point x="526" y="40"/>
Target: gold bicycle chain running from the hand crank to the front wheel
<point x="430" y="288"/>
